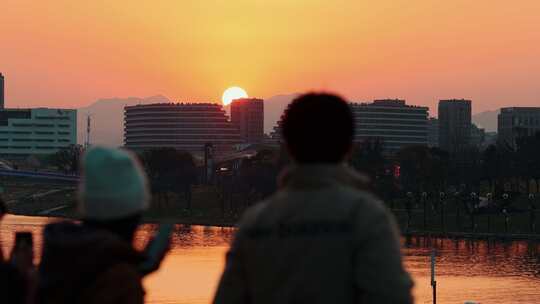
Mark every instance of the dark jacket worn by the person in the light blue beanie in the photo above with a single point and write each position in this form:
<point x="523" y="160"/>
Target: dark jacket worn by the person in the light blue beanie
<point x="85" y="265"/>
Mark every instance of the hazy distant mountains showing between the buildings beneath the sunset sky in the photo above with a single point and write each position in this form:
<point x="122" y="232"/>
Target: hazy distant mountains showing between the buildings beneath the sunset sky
<point x="107" y="116"/>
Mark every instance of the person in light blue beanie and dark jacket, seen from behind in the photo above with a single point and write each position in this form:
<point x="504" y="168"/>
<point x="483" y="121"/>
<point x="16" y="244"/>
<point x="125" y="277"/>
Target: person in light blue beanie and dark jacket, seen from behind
<point x="95" y="262"/>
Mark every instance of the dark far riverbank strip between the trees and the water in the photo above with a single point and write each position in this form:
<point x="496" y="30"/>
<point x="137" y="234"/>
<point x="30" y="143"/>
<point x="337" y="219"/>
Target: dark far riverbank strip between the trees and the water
<point x="208" y="209"/>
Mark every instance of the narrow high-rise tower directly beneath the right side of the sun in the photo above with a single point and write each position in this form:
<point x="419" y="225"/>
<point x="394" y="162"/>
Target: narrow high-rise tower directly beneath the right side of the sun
<point x="247" y="114"/>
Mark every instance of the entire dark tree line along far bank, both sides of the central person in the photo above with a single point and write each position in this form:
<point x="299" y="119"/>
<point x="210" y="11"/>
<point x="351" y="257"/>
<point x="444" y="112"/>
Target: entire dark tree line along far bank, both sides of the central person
<point x="497" y="169"/>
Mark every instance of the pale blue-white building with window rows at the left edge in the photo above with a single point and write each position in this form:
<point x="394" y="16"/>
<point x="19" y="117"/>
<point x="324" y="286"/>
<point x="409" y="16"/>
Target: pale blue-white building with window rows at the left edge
<point x="36" y="131"/>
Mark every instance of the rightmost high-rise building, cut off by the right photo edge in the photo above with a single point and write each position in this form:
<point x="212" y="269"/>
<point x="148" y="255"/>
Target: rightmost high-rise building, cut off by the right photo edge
<point x="516" y="122"/>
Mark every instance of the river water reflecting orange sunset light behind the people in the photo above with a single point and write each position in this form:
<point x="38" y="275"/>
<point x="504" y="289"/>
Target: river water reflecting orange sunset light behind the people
<point x="486" y="272"/>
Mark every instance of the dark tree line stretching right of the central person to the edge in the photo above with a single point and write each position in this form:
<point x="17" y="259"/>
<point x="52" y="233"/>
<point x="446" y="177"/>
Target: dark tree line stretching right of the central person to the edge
<point x="497" y="169"/>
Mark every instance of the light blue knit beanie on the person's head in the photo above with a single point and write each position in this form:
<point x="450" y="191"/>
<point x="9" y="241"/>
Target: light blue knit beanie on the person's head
<point x="113" y="185"/>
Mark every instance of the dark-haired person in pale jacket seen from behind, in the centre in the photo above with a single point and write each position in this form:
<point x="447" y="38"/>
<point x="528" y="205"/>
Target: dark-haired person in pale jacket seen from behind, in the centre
<point x="321" y="238"/>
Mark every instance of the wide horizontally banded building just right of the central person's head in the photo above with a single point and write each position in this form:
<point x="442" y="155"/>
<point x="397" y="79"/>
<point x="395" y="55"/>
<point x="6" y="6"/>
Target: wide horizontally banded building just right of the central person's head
<point x="391" y="120"/>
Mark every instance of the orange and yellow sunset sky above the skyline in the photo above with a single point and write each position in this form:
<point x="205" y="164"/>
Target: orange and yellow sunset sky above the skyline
<point x="70" y="53"/>
